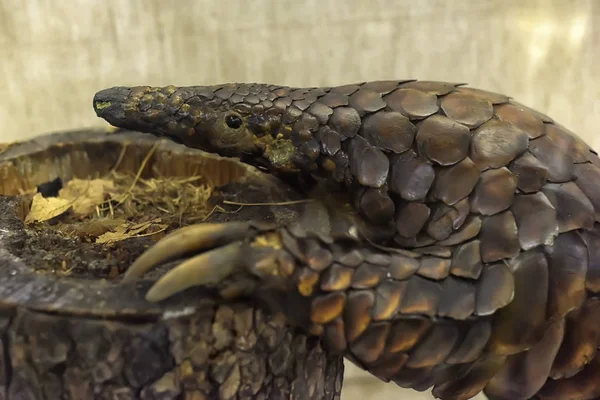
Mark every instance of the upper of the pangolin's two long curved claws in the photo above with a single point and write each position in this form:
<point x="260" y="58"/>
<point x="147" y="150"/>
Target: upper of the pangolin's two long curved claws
<point x="186" y="241"/>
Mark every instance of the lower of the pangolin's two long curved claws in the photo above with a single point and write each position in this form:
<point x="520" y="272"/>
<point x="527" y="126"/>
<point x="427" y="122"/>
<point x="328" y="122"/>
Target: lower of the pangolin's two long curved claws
<point x="210" y="267"/>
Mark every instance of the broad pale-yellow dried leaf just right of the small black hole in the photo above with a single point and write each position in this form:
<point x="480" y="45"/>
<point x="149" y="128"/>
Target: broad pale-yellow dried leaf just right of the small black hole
<point x="86" y="195"/>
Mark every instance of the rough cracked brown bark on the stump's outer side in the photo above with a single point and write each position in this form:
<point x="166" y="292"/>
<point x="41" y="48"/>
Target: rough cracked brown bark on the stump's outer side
<point x="218" y="352"/>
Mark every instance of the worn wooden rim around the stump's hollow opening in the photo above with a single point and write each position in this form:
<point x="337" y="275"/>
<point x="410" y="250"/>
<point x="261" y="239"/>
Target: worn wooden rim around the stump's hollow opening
<point x="76" y="154"/>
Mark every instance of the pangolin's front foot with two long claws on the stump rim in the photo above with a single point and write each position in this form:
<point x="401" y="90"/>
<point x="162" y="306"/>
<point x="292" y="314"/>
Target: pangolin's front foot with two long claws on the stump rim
<point x="211" y="253"/>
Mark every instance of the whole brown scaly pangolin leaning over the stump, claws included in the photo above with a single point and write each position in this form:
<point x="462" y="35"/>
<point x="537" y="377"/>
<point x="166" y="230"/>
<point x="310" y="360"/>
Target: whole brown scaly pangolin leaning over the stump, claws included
<point x="466" y="256"/>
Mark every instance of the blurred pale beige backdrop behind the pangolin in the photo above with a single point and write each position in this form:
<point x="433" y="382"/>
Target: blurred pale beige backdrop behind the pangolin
<point x="54" y="55"/>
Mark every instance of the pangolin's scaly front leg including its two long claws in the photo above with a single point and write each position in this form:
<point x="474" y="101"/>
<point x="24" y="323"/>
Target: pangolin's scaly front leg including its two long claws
<point x="395" y="313"/>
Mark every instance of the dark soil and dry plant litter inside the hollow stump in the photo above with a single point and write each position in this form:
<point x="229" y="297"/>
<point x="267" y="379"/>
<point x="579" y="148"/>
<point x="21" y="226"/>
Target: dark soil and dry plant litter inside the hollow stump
<point x="71" y="244"/>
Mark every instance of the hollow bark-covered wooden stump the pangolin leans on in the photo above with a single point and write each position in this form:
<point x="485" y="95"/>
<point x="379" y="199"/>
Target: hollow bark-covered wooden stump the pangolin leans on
<point x="87" y="336"/>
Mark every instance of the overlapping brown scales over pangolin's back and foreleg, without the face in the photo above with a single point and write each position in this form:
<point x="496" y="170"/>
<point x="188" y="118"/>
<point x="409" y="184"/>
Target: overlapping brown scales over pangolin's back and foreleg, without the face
<point x="499" y="205"/>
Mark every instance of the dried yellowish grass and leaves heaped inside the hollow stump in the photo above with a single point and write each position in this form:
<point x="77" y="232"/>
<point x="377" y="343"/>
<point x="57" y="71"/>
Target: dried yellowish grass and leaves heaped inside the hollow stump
<point x="119" y="205"/>
